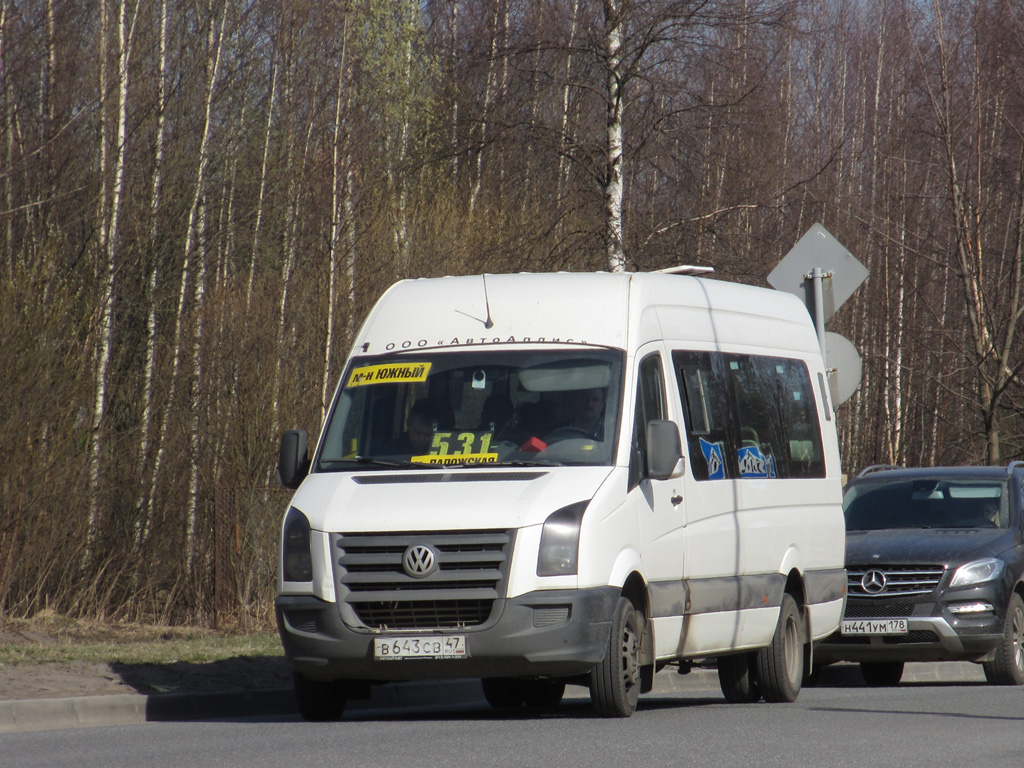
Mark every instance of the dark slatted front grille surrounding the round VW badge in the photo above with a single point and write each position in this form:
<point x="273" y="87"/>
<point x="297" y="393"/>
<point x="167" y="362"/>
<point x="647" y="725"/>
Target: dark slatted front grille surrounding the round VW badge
<point x="473" y="569"/>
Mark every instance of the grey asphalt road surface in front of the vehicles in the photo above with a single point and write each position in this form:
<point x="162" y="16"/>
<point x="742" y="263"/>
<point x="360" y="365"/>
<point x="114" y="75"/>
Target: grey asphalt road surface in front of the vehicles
<point x="840" y="723"/>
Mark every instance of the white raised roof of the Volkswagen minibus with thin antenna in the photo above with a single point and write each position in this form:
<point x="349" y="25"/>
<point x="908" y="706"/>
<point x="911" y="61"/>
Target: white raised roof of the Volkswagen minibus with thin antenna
<point x="595" y="309"/>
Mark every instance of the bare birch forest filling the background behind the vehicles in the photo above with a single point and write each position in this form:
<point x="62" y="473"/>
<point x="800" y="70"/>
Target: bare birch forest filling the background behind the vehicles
<point x="201" y="199"/>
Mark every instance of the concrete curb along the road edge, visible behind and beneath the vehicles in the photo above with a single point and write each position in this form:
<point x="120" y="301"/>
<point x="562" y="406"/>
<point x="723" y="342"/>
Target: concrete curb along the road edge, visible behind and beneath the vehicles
<point x="126" y="709"/>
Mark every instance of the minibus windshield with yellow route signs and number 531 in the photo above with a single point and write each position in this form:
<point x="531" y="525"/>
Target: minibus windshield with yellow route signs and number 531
<point x="468" y="409"/>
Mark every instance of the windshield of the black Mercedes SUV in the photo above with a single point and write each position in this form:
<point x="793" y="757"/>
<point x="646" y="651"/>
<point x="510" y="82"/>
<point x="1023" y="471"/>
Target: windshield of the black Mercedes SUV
<point x="927" y="503"/>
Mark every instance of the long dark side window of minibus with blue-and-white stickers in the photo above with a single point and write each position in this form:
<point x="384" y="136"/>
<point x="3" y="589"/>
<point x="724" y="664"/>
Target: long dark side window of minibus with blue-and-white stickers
<point x="749" y="416"/>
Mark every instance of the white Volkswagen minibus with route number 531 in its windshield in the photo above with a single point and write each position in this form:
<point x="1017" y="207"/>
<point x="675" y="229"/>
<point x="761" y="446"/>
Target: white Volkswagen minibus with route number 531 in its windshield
<point x="543" y="481"/>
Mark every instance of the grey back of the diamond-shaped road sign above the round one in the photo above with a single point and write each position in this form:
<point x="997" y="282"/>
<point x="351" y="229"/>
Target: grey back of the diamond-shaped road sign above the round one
<point x="819" y="249"/>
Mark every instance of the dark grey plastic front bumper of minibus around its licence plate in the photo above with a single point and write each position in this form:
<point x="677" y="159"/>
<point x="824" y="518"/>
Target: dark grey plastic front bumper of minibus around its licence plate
<point x="560" y="633"/>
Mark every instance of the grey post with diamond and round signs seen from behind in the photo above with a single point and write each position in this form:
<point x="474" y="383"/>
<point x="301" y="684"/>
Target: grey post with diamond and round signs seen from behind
<point x="822" y="273"/>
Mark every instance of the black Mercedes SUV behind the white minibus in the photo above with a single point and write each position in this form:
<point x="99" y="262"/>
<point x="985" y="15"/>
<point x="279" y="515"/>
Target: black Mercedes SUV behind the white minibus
<point x="935" y="565"/>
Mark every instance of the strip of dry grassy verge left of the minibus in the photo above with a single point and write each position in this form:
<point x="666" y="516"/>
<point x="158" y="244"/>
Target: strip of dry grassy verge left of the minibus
<point x="50" y="637"/>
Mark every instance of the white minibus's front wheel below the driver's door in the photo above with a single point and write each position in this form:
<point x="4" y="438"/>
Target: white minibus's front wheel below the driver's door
<point x="615" y="684"/>
